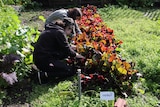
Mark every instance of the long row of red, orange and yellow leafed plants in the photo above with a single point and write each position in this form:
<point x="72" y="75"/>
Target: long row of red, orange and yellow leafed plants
<point x="103" y="66"/>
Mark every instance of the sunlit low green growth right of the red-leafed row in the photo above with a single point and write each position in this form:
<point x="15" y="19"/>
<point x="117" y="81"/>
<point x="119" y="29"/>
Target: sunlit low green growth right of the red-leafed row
<point x="140" y="33"/>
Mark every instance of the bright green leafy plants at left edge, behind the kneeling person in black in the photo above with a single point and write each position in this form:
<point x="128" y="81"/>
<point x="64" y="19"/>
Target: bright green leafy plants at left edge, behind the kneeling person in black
<point x="14" y="38"/>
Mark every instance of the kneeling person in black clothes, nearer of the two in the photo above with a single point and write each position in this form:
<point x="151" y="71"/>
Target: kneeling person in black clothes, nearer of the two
<point x="52" y="48"/>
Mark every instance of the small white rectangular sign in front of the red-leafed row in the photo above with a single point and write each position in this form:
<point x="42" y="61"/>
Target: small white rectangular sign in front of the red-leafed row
<point x="107" y="95"/>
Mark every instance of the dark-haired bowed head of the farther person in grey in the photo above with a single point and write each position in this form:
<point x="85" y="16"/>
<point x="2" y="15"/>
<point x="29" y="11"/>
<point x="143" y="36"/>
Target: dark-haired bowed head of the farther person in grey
<point x="75" y="13"/>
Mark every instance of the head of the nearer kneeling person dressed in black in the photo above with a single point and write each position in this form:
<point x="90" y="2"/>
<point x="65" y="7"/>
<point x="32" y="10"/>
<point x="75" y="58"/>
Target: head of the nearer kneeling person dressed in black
<point x="67" y="24"/>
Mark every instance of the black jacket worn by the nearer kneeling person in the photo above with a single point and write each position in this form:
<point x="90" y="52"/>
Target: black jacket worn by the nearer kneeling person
<point x="52" y="44"/>
